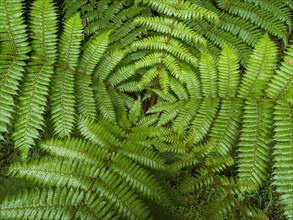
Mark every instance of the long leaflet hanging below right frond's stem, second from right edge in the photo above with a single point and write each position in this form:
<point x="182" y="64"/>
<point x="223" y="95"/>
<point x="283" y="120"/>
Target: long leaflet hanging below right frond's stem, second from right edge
<point x="255" y="142"/>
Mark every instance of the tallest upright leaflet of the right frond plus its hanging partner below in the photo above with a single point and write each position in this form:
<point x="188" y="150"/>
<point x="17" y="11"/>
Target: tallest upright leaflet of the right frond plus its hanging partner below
<point x="255" y="138"/>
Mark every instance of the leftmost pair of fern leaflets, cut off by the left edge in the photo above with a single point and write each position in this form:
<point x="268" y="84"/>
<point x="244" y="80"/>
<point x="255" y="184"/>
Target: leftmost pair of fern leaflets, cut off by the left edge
<point x="13" y="48"/>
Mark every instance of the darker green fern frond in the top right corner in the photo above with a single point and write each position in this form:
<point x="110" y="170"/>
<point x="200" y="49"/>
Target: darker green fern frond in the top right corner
<point x="242" y="24"/>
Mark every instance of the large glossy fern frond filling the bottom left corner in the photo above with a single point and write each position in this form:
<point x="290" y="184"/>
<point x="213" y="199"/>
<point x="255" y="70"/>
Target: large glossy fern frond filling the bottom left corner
<point x="90" y="188"/>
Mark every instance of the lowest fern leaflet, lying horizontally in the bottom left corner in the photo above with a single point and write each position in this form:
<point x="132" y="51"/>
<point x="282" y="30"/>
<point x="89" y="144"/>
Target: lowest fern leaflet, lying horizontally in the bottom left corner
<point x="45" y="203"/>
